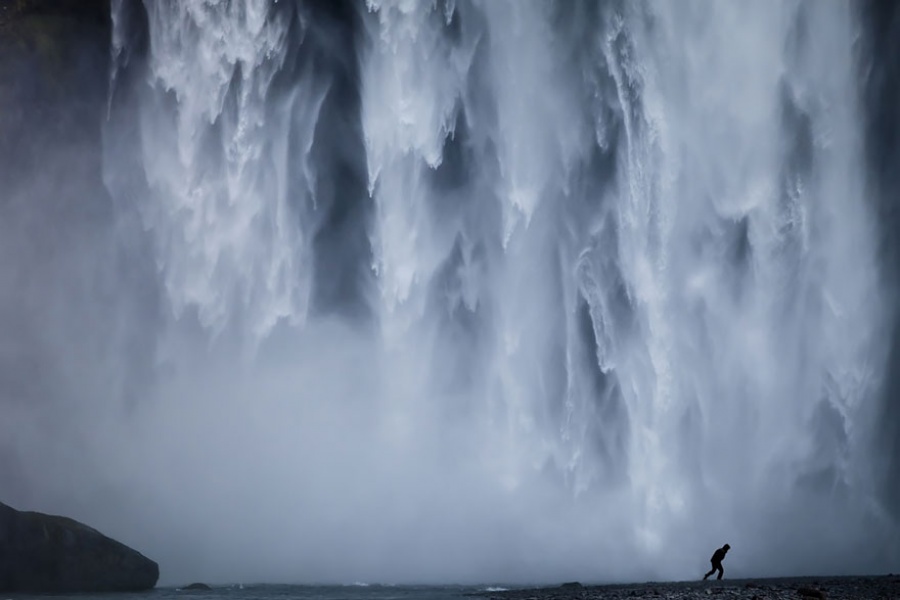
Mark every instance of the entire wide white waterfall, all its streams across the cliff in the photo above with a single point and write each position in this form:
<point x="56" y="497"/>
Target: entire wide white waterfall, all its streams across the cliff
<point x="620" y="248"/>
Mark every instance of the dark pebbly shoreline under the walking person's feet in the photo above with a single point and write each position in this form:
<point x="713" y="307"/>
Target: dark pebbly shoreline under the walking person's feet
<point x="804" y="588"/>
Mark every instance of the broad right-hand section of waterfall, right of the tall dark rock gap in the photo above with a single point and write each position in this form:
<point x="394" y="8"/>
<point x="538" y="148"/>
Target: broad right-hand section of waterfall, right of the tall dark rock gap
<point x="678" y="205"/>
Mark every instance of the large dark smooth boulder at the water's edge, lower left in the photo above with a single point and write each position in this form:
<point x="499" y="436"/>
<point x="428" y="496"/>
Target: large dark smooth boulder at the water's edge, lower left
<point x="46" y="553"/>
